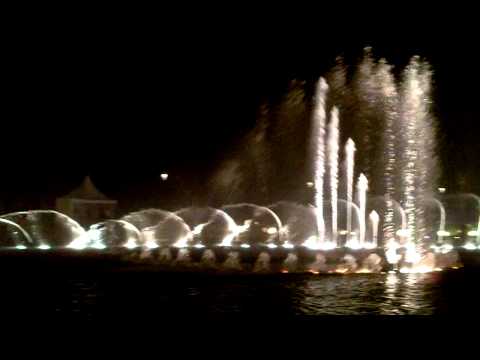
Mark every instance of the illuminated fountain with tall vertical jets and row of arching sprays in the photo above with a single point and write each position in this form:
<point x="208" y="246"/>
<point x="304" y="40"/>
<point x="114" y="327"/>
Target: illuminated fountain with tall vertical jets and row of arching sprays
<point x="333" y="235"/>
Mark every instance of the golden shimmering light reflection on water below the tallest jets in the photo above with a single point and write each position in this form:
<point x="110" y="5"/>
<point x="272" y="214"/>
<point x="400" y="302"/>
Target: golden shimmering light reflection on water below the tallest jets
<point x="382" y="294"/>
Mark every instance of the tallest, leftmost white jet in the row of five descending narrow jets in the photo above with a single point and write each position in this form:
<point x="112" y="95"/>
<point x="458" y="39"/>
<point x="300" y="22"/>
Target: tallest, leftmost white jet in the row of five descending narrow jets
<point x="318" y="143"/>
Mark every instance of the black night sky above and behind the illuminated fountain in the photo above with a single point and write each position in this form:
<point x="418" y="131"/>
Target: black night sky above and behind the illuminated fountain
<point x="124" y="104"/>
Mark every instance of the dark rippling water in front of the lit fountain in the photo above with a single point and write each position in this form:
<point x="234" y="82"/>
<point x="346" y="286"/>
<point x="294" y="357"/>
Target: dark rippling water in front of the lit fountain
<point x="145" y="294"/>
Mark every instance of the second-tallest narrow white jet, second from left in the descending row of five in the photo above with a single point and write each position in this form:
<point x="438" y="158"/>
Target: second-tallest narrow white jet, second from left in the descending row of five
<point x="333" y="139"/>
